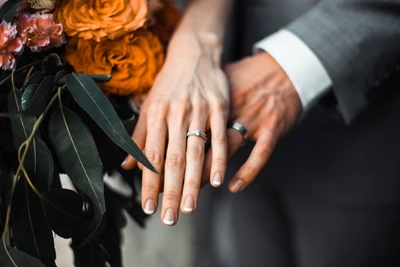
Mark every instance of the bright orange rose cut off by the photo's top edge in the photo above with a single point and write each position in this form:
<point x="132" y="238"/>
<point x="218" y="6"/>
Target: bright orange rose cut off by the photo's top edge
<point x="101" y="19"/>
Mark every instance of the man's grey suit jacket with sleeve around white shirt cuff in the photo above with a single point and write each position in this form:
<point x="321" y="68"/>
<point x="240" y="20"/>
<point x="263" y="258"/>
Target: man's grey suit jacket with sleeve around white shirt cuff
<point x="358" y="42"/>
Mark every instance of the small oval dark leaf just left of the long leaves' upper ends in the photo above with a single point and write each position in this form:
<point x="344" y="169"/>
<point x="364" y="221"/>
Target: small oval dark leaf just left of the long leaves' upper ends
<point x="40" y="98"/>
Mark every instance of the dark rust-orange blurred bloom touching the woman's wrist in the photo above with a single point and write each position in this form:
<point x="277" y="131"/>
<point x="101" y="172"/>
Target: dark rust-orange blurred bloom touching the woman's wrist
<point x="166" y="20"/>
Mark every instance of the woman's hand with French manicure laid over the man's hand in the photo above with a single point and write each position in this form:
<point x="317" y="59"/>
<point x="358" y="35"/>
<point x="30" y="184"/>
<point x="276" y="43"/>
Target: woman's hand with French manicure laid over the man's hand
<point x="190" y="93"/>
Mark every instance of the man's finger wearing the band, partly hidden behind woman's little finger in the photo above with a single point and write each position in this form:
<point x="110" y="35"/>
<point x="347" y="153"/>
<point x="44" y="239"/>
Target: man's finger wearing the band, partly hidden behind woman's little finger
<point x="235" y="141"/>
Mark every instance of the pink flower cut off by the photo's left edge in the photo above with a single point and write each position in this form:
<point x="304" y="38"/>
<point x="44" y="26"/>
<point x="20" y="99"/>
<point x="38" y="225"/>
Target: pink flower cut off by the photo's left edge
<point x="9" y="43"/>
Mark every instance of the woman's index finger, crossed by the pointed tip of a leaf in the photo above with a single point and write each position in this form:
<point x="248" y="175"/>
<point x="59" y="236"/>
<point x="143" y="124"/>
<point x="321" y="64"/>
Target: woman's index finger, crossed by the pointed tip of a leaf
<point x="155" y="144"/>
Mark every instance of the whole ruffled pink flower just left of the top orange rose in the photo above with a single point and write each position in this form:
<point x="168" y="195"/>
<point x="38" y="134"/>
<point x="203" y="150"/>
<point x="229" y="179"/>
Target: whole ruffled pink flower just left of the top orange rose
<point x="39" y="32"/>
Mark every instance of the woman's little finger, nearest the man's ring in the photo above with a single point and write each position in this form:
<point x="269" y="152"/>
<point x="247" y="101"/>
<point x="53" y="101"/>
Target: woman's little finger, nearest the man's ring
<point x="219" y="144"/>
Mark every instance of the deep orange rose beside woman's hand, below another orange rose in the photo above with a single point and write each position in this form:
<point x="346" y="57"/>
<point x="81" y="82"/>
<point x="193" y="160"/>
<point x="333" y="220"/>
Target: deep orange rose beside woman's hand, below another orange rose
<point x="133" y="61"/>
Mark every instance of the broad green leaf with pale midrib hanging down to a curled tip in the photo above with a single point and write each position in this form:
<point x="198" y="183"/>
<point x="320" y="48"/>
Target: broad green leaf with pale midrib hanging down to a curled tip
<point x="78" y="156"/>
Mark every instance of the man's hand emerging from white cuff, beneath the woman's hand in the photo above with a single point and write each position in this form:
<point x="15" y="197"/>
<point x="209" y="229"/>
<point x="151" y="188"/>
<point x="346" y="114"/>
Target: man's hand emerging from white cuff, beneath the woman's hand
<point x="264" y="100"/>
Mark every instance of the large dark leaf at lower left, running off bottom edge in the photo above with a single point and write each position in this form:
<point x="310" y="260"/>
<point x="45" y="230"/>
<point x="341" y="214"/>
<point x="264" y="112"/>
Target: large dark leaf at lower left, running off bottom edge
<point x="31" y="231"/>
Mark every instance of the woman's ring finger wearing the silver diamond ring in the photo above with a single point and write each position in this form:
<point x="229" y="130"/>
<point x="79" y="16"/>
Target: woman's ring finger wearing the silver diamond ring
<point x="194" y="165"/>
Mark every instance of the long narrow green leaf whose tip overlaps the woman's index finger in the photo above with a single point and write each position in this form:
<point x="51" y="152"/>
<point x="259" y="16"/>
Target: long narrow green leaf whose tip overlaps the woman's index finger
<point x="96" y="104"/>
